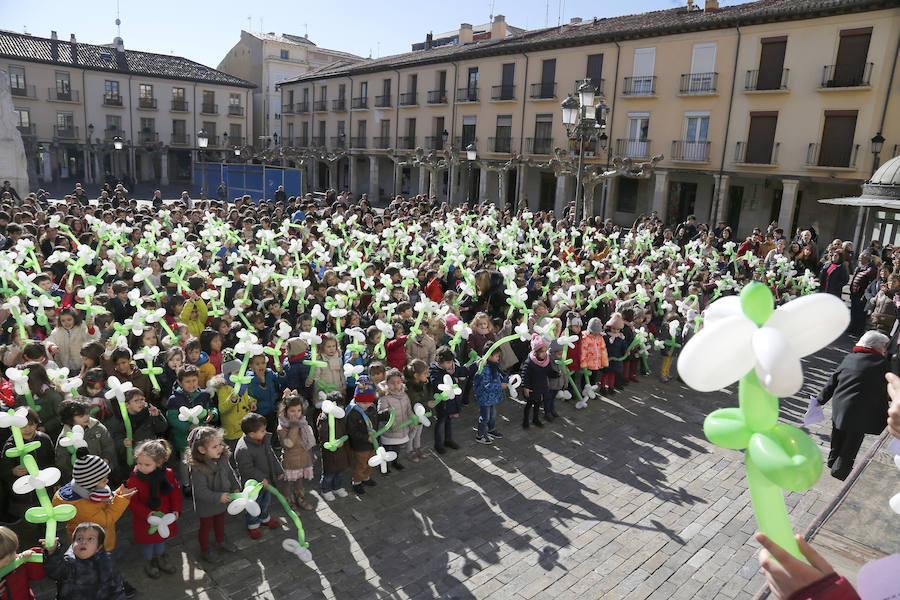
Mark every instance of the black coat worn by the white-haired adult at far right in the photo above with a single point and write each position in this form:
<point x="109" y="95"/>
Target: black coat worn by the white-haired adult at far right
<point x="859" y="391"/>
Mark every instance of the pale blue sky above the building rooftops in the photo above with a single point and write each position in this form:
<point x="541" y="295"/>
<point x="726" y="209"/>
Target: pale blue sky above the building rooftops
<point x="205" y="31"/>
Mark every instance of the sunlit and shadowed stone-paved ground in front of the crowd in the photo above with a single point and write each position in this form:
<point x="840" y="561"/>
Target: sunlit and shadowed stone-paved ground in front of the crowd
<point x="625" y="499"/>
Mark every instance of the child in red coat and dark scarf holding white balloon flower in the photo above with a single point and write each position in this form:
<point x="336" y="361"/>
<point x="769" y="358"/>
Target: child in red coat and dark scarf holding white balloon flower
<point x="155" y="506"/>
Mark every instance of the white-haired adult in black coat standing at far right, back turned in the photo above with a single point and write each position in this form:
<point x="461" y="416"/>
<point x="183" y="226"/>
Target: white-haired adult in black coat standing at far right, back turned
<point x="860" y="400"/>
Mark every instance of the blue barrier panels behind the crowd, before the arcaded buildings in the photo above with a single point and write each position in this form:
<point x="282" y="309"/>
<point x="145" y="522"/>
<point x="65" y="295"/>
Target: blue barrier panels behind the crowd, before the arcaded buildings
<point x="259" y="181"/>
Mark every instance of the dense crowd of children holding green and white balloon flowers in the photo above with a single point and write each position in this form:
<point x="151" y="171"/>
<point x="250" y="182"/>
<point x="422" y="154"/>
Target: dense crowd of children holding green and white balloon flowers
<point x="376" y="312"/>
